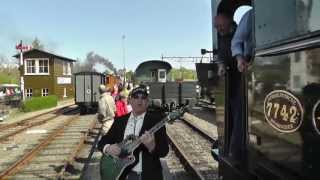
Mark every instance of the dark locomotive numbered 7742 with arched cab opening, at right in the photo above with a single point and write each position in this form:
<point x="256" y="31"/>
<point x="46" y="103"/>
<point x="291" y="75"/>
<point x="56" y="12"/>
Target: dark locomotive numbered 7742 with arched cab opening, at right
<point x="280" y="94"/>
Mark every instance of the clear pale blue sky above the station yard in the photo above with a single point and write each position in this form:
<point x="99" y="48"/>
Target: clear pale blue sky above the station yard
<point x="72" y="28"/>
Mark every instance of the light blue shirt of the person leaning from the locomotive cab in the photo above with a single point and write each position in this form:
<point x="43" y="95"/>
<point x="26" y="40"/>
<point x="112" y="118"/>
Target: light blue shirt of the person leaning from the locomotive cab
<point x="241" y="43"/>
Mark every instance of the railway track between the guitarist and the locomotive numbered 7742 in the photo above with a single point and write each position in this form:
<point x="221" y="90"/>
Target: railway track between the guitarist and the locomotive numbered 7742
<point x="192" y="145"/>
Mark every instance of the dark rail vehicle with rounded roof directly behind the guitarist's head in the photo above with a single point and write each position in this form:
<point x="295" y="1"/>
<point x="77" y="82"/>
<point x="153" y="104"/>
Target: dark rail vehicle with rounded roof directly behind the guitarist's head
<point x="162" y="91"/>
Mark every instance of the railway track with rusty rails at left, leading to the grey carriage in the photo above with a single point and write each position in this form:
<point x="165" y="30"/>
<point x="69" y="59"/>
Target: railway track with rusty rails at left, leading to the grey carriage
<point x="46" y="154"/>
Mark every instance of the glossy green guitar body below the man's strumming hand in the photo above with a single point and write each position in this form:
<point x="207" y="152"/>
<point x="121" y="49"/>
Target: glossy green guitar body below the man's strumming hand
<point x="113" y="168"/>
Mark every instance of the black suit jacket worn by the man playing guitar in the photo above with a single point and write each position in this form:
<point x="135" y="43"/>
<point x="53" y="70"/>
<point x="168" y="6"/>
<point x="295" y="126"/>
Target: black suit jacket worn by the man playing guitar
<point x="151" y="167"/>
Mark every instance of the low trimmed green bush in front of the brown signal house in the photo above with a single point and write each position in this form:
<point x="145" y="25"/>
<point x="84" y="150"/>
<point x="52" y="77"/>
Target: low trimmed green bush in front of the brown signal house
<point x="37" y="103"/>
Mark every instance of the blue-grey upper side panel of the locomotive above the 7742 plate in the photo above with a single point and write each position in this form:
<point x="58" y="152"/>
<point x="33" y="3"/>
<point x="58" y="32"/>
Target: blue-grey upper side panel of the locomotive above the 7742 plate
<point x="300" y="17"/>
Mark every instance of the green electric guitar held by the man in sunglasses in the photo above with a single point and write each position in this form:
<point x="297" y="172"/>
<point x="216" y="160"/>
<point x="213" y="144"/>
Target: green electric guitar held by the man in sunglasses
<point x="114" y="168"/>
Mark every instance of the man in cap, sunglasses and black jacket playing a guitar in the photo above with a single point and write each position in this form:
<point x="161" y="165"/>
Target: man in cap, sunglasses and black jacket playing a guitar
<point x="151" y="146"/>
